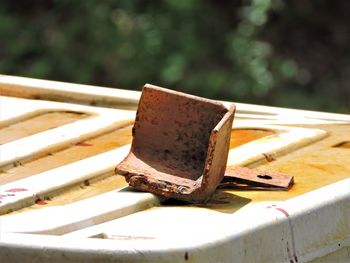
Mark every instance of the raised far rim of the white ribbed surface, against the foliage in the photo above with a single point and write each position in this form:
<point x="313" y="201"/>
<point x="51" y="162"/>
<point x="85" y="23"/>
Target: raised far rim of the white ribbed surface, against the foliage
<point x="112" y="97"/>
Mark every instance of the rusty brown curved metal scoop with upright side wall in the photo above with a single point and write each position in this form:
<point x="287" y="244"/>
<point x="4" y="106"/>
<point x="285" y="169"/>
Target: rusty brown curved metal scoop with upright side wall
<point x="180" y="145"/>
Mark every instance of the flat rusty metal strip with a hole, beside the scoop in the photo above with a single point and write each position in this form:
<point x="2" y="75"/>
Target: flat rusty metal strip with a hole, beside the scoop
<point x="256" y="179"/>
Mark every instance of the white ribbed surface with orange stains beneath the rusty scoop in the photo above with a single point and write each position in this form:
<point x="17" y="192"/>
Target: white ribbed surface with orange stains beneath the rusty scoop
<point x="119" y="224"/>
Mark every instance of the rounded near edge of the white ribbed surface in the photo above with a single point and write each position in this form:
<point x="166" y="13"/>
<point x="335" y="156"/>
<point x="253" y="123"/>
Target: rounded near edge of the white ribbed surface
<point x="331" y="200"/>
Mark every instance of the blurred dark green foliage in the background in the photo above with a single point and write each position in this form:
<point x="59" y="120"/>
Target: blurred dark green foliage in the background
<point x="284" y="53"/>
